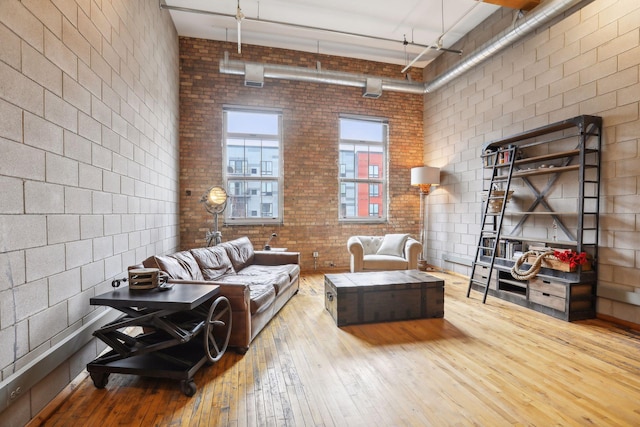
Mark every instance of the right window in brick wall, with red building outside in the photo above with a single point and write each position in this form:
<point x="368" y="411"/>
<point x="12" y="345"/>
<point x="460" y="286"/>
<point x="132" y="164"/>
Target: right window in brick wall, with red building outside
<point x="363" y="168"/>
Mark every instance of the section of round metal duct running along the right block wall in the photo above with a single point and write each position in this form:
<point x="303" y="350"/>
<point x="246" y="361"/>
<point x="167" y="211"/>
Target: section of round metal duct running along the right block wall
<point x="537" y="18"/>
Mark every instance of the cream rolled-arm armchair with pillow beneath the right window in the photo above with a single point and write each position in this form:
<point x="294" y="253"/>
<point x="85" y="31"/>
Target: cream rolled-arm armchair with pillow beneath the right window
<point x="380" y="253"/>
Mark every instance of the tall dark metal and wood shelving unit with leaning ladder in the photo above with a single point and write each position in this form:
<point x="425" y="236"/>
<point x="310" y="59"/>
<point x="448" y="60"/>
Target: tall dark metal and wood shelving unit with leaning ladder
<point x="554" y="175"/>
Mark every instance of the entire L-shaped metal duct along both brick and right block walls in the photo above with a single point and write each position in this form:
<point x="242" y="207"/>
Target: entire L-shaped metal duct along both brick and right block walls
<point x="542" y="15"/>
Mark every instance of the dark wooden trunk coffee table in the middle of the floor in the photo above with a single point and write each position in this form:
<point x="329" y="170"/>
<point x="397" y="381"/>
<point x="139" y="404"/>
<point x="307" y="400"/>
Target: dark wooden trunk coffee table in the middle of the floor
<point x="383" y="296"/>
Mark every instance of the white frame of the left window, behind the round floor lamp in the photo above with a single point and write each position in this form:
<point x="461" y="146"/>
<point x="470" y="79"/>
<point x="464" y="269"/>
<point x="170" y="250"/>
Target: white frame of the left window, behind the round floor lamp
<point x="275" y="181"/>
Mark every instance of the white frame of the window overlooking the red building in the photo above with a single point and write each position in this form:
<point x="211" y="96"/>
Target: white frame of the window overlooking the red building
<point x="381" y="180"/>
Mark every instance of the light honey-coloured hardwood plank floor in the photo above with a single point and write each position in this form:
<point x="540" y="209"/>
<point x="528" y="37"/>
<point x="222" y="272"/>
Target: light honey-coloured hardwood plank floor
<point x="489" y="365"/>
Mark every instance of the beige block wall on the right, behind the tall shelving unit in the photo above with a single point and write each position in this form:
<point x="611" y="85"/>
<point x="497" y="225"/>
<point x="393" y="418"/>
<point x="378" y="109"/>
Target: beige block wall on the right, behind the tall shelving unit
<point x="588" y="63"/>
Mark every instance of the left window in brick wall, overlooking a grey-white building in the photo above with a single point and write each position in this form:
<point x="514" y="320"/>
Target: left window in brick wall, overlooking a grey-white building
<point x="252" y="146"/>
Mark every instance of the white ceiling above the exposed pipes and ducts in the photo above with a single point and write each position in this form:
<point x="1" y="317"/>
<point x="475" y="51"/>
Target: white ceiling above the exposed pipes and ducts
<point x="383" y="23"/>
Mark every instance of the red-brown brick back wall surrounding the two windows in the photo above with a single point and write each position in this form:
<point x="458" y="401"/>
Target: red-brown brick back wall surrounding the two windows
<point x="310" y="114"/>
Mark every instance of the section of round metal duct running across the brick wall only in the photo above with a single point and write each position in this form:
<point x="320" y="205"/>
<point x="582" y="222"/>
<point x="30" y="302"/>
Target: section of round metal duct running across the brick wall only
<point x="312" y="75"/>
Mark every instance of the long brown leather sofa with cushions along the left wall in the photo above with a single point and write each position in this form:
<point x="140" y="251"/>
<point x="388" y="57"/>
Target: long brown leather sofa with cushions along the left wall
<point x="257" y="283"/>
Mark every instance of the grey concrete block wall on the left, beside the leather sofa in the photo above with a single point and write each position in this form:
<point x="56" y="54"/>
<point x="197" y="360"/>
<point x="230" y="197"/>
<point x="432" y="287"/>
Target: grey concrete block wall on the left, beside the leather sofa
<point x="88" y="168"/>
